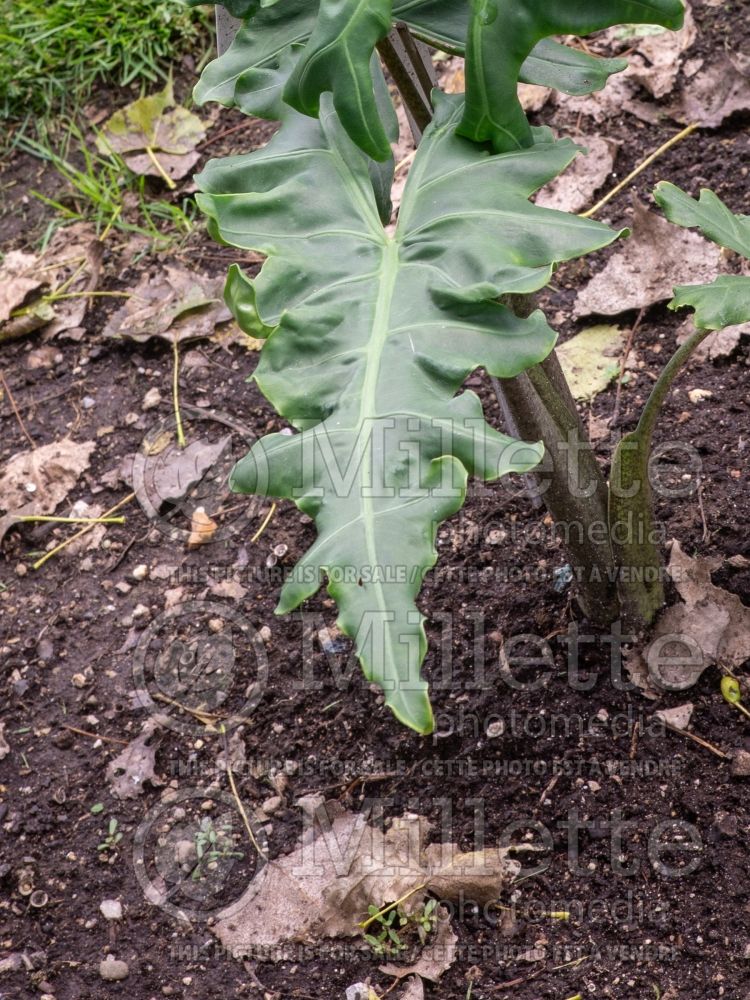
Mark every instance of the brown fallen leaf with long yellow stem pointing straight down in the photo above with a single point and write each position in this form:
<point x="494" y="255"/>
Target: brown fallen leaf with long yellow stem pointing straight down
<point x="172" y="303"/>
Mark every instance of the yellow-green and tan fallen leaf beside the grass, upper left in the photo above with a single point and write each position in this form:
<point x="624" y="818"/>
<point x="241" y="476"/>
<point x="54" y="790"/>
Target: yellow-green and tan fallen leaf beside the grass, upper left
<point x="153" y="136"/>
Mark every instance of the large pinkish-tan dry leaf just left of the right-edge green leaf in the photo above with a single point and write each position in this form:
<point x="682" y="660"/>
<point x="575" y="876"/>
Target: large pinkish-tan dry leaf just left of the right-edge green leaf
<point x="647" y="266"/>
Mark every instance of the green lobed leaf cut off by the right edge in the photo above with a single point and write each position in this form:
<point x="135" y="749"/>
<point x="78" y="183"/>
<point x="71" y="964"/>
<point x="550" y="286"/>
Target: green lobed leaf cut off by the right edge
<point x="726" y="301"/>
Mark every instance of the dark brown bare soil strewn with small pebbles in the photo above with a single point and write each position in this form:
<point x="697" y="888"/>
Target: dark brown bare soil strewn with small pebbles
<point x="580" y="755"/>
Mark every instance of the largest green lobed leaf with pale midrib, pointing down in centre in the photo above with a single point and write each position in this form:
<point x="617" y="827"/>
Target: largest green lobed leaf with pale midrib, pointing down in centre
<point x="372" y="337"/>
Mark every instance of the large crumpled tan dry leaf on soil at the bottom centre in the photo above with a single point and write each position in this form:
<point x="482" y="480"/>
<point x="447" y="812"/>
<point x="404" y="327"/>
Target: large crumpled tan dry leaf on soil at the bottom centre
<point x="341" y="866"/>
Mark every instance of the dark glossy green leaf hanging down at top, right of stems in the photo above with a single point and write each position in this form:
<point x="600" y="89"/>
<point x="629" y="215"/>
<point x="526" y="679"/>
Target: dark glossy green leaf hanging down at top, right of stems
<point x="503" y="34"/>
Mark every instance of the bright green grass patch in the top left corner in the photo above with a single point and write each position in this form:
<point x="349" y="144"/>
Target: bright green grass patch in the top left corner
<point x="53" y="53"/>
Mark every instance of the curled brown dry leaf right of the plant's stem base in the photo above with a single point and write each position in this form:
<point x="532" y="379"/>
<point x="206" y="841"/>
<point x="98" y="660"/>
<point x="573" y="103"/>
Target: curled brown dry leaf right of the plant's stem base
<point x="711" y="626"/>
